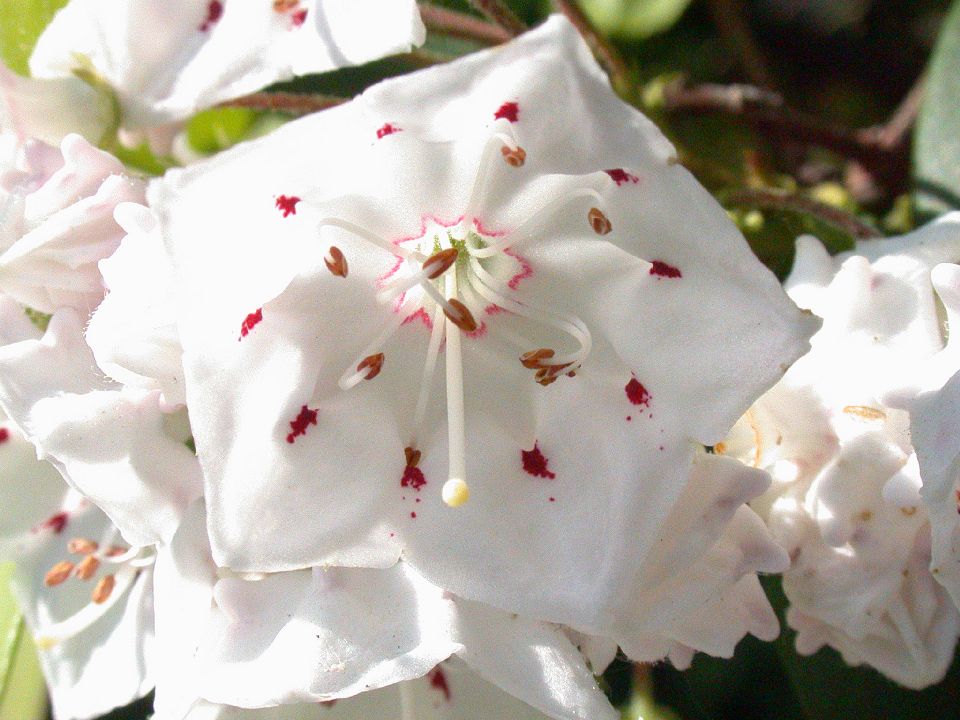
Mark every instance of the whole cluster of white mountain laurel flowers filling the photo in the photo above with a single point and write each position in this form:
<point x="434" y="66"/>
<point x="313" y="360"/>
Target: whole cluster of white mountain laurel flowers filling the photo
<point x="403" y="409"/>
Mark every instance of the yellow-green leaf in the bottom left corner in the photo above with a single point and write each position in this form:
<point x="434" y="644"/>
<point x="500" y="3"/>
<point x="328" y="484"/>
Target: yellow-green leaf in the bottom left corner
<point x="23" y="694"/>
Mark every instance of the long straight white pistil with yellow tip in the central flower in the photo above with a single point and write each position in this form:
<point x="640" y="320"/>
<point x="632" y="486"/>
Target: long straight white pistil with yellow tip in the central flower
<point x="456" y="430"/>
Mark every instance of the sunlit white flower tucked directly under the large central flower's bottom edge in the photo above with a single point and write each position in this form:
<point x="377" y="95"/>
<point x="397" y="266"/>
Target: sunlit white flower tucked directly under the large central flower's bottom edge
<point x="322" y="634"/>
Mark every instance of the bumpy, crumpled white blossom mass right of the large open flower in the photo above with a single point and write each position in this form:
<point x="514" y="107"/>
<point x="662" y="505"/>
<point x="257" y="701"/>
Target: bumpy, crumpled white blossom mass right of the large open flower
<point x="844" y="501"/>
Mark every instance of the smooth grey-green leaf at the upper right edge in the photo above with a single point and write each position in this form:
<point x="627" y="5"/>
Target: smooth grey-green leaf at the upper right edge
<point x="936" y="142"/>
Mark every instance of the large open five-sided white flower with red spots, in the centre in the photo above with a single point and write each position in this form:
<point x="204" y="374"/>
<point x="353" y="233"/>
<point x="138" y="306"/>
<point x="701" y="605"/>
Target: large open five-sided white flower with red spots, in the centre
<point x="454" y="217"/>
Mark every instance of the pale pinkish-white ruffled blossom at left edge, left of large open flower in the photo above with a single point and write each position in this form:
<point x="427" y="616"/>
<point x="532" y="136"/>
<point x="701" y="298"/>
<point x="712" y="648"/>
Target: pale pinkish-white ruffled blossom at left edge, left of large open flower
<point x="57" y="209"/>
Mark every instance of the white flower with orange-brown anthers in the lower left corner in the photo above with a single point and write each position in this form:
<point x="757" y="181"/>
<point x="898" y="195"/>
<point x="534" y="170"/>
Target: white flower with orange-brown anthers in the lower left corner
<point x="95" y="655"/>
